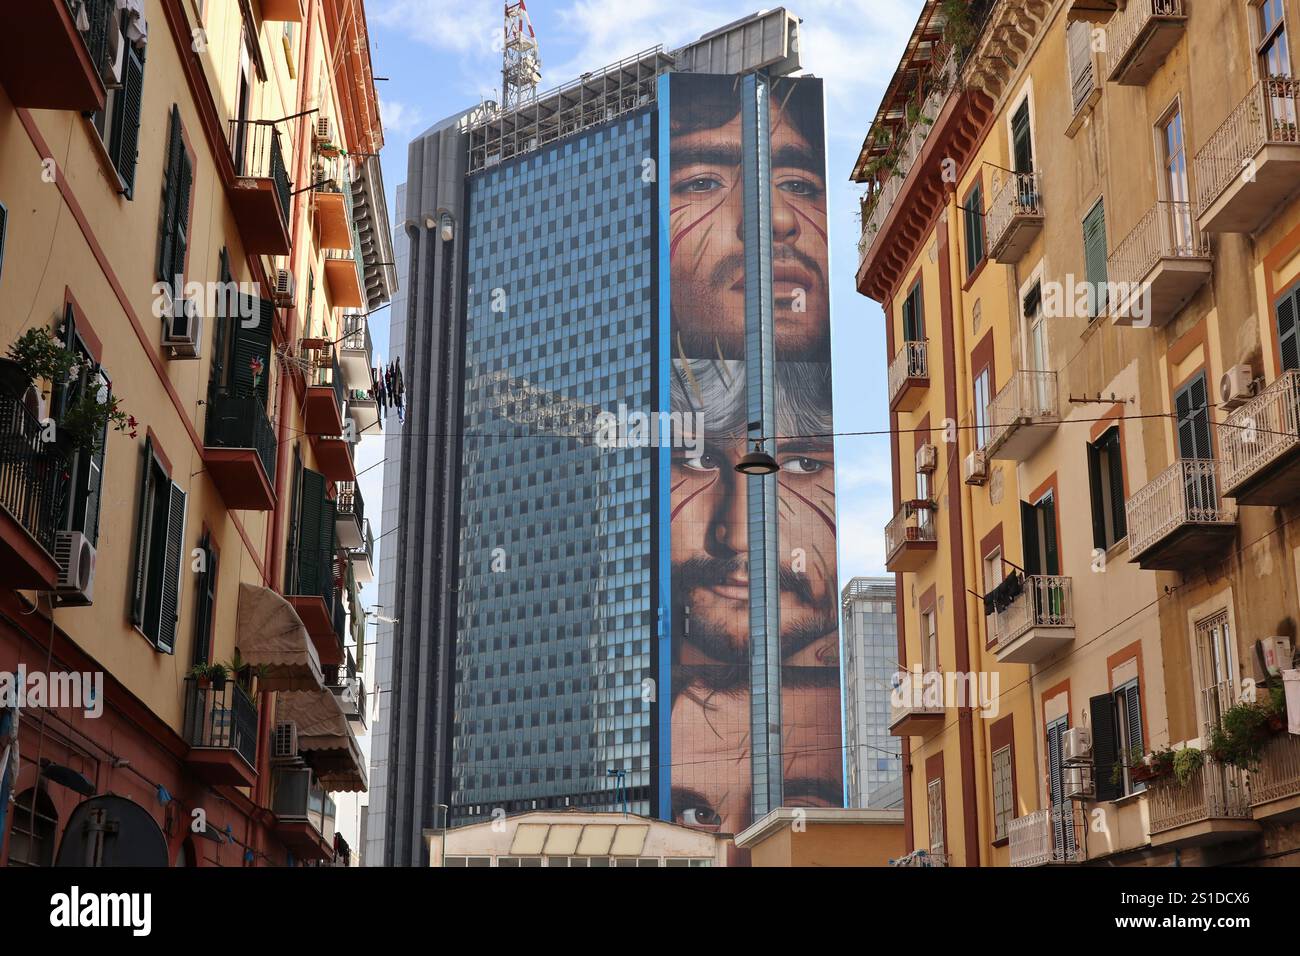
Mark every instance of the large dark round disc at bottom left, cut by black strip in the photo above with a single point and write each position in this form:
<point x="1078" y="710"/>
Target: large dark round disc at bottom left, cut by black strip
<point x="112" y="832"/>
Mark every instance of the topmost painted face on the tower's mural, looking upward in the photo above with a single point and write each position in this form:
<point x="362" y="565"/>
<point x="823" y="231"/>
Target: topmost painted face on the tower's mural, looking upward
<point x="708" y="243"/>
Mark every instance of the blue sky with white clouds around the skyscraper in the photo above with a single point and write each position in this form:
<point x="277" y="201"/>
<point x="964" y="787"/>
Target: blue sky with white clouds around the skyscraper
<point x="439" y="59"/>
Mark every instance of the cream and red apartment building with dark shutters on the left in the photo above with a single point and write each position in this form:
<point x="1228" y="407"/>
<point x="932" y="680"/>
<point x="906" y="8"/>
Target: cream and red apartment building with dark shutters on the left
<point x="193" y="228"/>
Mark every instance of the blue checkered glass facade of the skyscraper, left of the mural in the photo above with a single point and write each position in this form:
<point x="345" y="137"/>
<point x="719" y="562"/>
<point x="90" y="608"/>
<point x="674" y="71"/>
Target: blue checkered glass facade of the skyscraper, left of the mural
<point x="557" y="553"/>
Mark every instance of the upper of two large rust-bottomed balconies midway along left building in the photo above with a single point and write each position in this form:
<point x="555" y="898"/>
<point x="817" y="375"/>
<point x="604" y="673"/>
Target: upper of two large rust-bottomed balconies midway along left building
<point x="261" y="196"/>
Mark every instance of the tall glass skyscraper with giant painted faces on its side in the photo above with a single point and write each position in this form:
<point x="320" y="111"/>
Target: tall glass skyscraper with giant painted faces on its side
<point x="617" y="289"/>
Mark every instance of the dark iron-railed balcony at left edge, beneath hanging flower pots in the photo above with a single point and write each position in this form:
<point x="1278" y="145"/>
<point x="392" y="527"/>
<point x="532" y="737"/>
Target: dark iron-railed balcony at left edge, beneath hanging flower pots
<point x="33" y="496"/>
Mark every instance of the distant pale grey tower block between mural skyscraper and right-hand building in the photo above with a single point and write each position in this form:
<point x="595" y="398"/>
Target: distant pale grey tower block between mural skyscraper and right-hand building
<point x="870" y="664"/>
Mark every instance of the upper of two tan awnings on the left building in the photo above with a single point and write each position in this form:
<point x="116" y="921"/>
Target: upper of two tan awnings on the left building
<point x="271" y="634"/>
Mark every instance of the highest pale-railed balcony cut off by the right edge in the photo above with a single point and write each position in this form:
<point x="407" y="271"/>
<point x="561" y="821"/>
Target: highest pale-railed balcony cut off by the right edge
<point x="1251" y="165"/>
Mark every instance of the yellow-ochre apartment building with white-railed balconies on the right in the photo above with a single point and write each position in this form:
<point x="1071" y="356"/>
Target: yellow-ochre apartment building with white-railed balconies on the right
<point x="1084" y="228"/>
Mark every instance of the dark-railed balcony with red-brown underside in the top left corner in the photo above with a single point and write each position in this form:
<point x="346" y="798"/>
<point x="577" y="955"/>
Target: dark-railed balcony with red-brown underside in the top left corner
<point x="46" y="63"/>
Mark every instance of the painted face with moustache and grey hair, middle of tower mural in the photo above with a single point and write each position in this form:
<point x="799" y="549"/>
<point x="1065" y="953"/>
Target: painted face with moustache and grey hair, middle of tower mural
<point x="710" y="542"/>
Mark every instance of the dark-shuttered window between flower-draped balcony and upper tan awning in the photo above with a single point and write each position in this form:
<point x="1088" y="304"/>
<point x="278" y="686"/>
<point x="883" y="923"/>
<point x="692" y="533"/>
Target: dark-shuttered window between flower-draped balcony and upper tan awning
<point x="159" y="547"/>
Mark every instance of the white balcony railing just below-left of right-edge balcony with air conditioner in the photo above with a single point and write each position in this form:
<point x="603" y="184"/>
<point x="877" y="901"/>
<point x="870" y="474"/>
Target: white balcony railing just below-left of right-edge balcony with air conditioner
<point x="1188" y="492"/>
